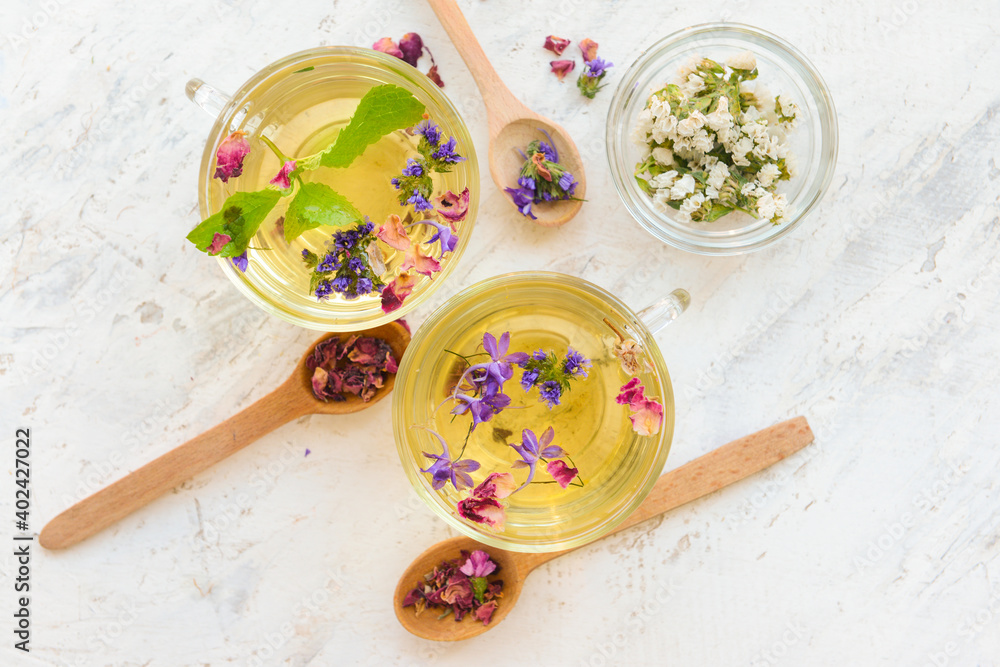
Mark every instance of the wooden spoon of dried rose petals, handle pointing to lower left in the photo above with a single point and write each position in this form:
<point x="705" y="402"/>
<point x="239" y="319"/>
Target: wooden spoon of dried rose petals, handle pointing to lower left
<point x="291" y="400"/>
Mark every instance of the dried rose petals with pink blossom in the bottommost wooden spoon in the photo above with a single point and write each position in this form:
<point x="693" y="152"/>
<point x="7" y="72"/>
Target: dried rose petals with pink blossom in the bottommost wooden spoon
<point x="461" y="587"/>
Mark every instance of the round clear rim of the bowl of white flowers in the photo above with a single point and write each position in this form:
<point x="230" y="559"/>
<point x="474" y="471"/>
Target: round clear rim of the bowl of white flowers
<point x="665" y="232"/>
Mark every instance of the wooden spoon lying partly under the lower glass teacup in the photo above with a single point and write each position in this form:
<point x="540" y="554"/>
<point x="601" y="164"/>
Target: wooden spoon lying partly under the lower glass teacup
<point x="721" y="467"/>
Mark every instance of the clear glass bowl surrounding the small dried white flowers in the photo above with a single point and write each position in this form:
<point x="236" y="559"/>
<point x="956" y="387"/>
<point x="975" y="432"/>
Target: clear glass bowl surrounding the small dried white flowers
<point x="783" y="70"/>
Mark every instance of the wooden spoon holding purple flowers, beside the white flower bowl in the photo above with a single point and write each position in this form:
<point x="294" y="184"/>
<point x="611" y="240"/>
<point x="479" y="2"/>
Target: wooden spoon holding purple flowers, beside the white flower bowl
<point x="512" y="125"/>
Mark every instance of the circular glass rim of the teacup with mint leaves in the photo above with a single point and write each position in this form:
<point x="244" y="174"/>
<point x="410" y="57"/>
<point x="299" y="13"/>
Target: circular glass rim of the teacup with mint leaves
<point x="220" y="129"/>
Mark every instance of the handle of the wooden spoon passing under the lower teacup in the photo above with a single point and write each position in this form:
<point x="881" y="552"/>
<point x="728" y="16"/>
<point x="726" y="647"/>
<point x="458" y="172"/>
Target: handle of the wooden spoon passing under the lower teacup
<point x="706" y="474"/>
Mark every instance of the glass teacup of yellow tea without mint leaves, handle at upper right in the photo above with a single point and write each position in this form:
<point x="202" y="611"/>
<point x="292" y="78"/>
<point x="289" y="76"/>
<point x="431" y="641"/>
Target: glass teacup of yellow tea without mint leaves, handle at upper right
<point x="617" y="457"/>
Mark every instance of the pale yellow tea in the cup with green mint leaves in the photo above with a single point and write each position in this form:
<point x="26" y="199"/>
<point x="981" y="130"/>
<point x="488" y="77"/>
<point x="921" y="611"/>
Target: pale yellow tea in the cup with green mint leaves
<point x="303" y="122"/>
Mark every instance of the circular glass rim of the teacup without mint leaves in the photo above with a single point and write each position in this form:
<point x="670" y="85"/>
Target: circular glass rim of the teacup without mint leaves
<point x="641" y="487"/>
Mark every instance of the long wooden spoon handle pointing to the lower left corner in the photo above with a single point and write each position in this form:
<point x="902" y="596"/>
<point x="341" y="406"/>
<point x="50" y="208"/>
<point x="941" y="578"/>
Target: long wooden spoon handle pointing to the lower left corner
<point x="152" y="480"/>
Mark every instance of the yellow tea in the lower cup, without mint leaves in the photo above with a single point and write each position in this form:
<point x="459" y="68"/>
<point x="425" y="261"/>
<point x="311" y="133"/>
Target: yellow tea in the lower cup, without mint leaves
<point x="589" y="425"/>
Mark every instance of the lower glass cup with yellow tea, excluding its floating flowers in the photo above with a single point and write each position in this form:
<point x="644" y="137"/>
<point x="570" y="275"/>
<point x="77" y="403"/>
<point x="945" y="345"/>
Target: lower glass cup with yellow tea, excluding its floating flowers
<point x="549" y="311"/>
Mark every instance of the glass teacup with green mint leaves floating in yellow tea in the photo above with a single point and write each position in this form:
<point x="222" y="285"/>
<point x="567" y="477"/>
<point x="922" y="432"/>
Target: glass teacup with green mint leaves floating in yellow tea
<point x="283" y="101"/>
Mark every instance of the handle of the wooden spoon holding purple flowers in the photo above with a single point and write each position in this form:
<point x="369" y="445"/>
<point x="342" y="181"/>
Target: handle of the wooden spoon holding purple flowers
<point x="501" y="105"/>
